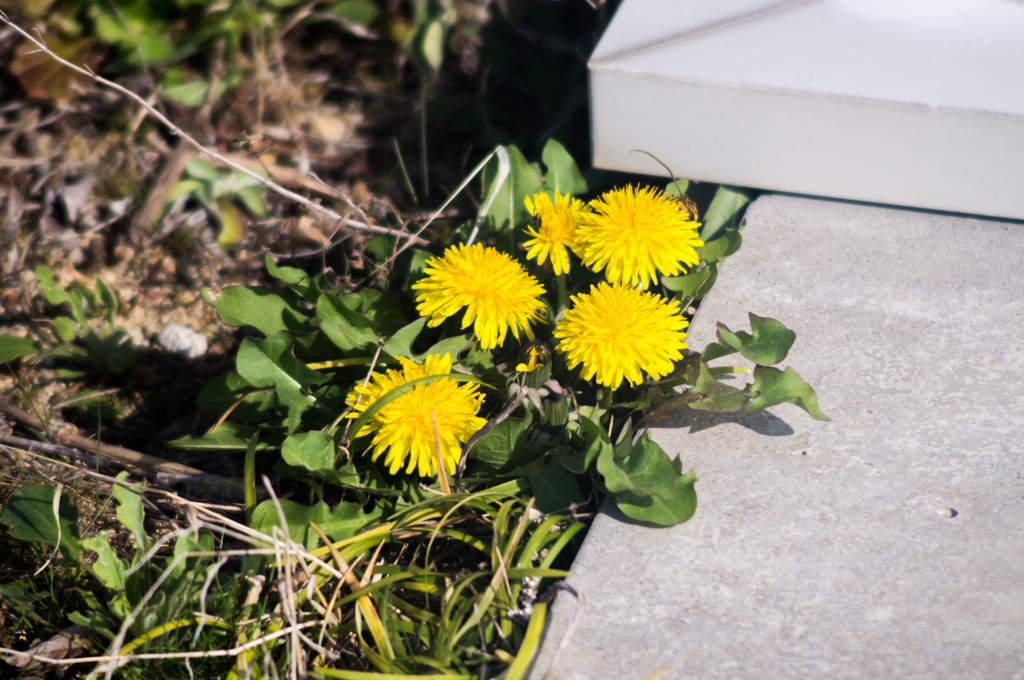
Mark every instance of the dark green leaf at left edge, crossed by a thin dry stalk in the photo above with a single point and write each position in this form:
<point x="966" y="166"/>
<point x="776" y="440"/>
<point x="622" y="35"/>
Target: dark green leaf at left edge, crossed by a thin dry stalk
<point x="30" y="513"/>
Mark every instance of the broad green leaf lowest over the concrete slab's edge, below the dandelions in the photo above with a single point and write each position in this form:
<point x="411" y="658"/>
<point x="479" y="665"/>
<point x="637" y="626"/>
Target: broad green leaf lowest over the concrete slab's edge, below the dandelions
<point x="649" y="486"/>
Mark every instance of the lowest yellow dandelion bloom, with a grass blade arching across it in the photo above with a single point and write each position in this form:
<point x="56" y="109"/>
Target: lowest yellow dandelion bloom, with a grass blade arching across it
<point x="404" y="428"/>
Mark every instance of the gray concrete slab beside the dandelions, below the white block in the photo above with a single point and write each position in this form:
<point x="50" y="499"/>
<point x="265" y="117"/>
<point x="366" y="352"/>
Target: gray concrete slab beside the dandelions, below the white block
<point x="886" y="544"/>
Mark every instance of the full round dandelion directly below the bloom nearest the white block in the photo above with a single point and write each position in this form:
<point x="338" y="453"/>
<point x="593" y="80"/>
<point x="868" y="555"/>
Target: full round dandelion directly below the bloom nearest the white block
<point x="617" y="332"/>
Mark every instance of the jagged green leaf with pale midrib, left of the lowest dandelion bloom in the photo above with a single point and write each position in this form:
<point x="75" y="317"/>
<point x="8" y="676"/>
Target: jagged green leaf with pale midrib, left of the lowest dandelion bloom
<point x="272" y="363"/>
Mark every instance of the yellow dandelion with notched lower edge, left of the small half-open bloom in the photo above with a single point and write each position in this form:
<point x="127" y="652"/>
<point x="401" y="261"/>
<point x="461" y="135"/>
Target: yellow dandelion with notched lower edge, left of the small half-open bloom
<point x="495" y="289"/>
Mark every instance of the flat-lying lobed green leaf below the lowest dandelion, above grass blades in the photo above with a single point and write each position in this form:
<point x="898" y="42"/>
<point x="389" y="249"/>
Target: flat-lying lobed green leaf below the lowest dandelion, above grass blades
<point x="343" y="523"/>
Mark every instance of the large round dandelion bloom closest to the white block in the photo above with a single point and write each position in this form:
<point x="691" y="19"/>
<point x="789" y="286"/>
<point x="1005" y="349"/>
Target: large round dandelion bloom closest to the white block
<point x="634" y="234"/>
